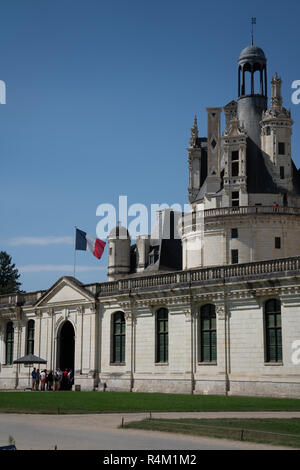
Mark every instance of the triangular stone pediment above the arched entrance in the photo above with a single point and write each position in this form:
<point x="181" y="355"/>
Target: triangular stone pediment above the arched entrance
<point x="65" y="290"/>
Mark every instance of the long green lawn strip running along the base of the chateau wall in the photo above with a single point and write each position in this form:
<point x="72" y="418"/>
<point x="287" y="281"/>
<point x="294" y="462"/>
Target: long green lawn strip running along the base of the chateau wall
<point x="126" y="402"/>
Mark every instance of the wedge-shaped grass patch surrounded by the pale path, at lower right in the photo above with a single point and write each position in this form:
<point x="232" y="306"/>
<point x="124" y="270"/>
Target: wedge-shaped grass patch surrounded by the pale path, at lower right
<point x="280" y="432"/>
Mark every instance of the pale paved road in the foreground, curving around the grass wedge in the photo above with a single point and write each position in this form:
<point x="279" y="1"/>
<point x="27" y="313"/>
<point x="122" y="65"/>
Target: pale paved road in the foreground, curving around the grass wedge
<point x="101" y="432"/>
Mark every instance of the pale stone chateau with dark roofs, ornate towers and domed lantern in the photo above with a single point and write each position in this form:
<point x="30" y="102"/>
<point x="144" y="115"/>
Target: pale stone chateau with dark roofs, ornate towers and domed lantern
<point x="211" y="303"/>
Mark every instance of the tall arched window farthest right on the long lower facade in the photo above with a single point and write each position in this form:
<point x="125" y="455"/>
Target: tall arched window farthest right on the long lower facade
<point x="273" y="331"/>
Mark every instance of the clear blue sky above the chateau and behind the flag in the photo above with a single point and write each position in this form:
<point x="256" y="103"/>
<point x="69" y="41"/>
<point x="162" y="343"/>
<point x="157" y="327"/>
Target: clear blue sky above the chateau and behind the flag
<point x="101" y="97"/>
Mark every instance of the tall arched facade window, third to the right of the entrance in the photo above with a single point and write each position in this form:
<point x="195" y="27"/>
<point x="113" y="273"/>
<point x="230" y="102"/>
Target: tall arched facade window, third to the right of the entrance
<point x="208" y="334"/>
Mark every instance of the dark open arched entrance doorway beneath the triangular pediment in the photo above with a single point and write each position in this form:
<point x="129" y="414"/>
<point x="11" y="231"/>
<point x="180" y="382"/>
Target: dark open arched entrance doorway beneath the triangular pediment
<point x="66" y="343"/>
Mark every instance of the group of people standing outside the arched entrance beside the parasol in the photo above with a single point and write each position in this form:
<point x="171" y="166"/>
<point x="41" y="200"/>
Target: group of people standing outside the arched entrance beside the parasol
<point x="58" y="380"/>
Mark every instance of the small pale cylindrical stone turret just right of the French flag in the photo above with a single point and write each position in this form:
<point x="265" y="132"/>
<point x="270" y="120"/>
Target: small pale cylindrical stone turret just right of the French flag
<point x="118" y="253"/>
